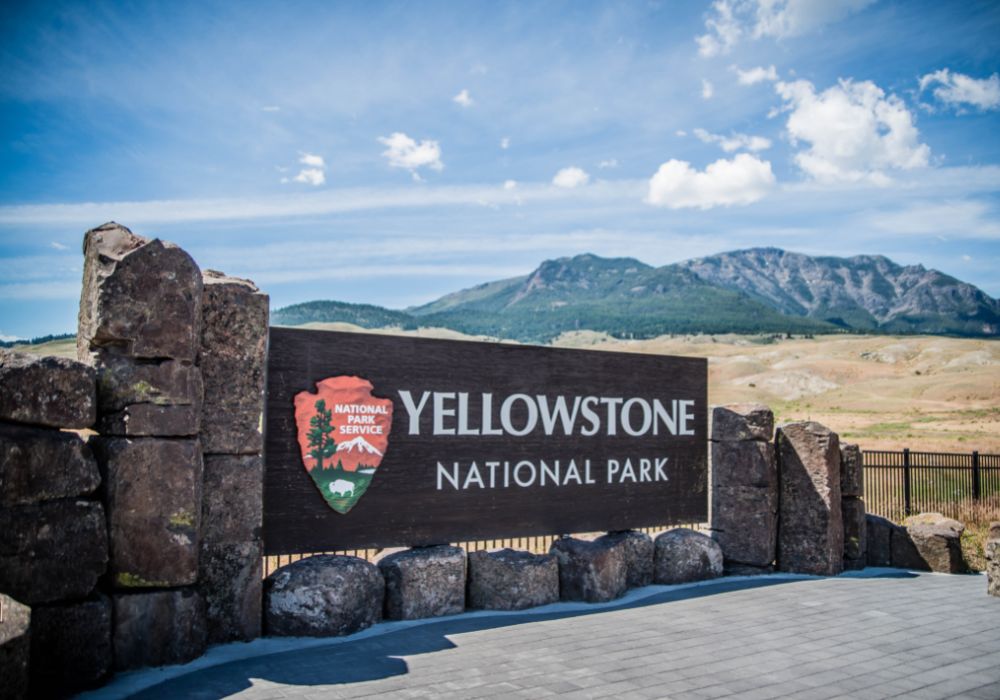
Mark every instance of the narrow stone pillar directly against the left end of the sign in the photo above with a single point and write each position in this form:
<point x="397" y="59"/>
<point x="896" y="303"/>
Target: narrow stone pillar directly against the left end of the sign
<point x="233" y="354"/>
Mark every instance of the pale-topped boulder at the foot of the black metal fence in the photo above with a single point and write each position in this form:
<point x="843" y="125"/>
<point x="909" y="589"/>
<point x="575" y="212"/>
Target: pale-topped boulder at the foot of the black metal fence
<point x="929" y="542"/>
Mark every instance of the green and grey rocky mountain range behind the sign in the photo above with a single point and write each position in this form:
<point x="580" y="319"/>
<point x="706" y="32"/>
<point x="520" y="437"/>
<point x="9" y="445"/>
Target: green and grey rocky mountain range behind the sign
<point x="760" y="290"/>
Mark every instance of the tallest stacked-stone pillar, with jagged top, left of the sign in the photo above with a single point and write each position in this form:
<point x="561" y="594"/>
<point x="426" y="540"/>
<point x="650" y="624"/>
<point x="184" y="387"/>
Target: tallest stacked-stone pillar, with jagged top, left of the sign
<point x="140" y="327"/>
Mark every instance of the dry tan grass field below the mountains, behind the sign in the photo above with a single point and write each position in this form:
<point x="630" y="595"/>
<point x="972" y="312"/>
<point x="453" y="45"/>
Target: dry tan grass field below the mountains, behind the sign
<point x="883" y="392"/>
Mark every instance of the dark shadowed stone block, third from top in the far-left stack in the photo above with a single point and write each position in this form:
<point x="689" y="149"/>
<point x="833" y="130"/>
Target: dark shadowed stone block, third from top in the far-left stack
<point x="52" y="551"/>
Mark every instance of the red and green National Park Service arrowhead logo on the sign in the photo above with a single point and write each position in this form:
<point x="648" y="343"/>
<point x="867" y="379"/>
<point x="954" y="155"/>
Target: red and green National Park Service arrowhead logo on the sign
<point x="343" y="434"/>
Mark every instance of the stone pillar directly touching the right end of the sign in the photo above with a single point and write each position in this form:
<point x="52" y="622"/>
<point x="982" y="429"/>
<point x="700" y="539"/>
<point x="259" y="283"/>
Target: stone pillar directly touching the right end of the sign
<point x="744" y="513"/>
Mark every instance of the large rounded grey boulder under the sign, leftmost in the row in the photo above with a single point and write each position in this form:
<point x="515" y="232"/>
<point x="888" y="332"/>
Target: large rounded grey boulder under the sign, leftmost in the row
<point x="327" y="595"/>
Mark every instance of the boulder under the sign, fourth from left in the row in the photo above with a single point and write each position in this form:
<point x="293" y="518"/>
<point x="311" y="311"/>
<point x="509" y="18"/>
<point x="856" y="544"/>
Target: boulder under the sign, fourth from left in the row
<point x="595" y="572"/>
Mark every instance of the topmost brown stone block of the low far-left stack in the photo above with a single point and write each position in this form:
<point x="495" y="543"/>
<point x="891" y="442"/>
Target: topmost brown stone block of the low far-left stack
<point x="50" y="391"/>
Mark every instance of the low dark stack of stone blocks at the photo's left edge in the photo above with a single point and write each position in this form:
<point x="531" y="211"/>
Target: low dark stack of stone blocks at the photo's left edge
<point x="53" y="531"/>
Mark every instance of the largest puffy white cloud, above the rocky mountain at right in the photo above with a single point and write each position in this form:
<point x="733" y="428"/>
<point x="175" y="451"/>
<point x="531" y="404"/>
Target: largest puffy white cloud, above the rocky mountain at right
<point x="853" y="130"/>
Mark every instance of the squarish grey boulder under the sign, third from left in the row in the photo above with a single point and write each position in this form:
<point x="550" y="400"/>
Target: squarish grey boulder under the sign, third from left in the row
<point x="511" y="580"/>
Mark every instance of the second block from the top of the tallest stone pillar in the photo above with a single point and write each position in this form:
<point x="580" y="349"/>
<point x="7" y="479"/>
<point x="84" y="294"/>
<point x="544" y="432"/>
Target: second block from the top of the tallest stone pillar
<point x="152" y="398"/>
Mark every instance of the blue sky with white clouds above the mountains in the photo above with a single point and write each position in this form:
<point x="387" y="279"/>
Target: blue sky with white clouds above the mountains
<point x="389" y="153"/>
